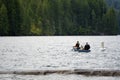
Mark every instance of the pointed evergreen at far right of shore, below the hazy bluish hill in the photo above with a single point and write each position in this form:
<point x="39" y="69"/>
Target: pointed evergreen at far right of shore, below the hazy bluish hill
<point x="110" y="22"/>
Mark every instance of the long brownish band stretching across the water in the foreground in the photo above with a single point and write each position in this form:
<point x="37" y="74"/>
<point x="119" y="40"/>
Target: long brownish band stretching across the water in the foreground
<point x="85" y="72"/>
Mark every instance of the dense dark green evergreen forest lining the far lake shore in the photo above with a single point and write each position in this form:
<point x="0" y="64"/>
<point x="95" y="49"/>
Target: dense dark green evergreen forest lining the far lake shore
<point x="58" y="17"/>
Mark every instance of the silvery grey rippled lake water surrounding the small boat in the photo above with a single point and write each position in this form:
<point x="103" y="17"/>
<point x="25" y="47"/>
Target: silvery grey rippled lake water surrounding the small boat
<point x="55" y="53"/>
